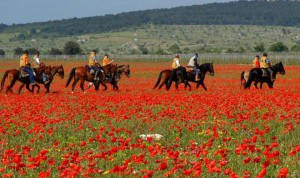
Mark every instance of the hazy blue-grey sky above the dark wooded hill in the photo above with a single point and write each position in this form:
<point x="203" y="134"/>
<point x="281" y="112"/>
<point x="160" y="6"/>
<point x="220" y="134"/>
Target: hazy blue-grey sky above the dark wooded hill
<point x="28" y="11"/>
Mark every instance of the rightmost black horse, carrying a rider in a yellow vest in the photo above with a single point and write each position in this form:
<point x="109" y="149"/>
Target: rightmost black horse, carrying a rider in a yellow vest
<point x="256" y="75"/>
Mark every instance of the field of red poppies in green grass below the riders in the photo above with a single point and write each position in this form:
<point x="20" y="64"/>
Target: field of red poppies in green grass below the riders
<point x="137" y="131"/>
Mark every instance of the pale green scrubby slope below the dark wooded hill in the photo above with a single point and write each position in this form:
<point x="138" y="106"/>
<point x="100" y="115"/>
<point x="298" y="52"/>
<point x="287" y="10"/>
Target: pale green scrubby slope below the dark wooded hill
<point x="193" y="37"/>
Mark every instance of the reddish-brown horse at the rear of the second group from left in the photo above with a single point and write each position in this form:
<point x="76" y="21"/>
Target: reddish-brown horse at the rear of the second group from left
<point x="82" y="74"/>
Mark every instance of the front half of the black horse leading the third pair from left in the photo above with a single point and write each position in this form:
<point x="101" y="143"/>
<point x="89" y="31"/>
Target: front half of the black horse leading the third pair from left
<point x="204" y="68"/>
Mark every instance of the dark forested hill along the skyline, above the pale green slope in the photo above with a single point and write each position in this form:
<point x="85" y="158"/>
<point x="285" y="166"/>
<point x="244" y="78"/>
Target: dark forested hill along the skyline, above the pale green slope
<point x="233" y="13"/>
